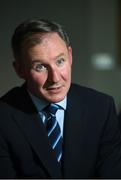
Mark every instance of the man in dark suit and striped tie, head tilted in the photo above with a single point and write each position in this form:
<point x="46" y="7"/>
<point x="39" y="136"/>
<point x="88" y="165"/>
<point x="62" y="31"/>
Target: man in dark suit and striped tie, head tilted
<point x="89" y="137"/>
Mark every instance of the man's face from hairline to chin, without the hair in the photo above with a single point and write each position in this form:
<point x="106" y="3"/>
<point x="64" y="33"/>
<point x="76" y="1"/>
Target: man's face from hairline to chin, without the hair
<point x="47" y="68"/>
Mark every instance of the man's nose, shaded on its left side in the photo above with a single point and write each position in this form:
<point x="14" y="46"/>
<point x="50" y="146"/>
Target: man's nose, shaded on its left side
<point x="53" y="75"/>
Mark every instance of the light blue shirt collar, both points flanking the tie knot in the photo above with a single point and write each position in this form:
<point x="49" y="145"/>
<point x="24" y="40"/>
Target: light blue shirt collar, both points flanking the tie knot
<point x="41" y="104"/>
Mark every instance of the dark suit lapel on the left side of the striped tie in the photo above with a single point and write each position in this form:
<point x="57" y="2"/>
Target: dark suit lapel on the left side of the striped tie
<point x="35" y="133"/>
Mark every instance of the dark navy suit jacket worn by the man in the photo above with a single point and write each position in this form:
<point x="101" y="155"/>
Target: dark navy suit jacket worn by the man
<point x="92" y="143"/>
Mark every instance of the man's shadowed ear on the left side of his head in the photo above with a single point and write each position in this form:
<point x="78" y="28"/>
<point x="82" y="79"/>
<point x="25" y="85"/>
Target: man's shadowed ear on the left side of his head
<point x="19" y="69"/>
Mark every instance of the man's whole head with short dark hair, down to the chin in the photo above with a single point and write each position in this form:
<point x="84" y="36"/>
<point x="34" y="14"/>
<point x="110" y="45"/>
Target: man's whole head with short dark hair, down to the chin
<point x="43" y="58"/>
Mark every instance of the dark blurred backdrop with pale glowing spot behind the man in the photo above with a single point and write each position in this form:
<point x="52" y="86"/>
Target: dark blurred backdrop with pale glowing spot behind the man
<point x="94" y="28"/>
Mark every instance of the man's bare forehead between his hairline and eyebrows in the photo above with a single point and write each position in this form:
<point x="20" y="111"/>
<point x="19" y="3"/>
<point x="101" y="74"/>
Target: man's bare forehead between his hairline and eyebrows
<point x="50" y="45"/>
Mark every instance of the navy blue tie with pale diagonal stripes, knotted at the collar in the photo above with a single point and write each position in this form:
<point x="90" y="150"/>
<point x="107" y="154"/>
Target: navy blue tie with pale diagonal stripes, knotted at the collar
<point x="53" y="130"/>
